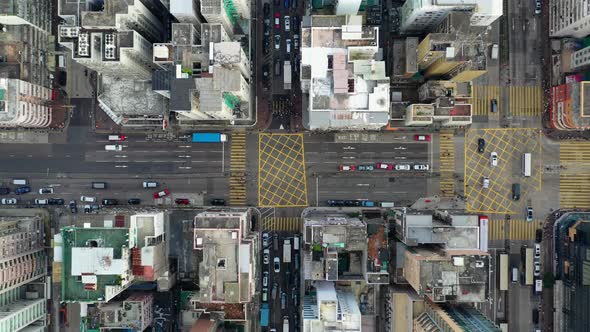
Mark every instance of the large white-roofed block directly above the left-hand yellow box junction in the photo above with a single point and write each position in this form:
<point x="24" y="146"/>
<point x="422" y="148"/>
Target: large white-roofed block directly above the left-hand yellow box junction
<point x="343" y="75"/>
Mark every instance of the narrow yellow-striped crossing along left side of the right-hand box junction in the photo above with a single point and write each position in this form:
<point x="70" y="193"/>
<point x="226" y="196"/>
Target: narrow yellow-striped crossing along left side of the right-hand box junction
<point x="447" y="163"/>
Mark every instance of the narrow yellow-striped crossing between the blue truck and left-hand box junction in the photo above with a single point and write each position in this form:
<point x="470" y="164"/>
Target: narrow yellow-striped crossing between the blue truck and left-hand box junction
<point x="237" y="179"/>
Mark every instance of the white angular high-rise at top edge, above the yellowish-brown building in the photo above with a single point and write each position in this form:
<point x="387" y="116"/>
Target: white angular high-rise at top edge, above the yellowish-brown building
<point x="419" y="16"/>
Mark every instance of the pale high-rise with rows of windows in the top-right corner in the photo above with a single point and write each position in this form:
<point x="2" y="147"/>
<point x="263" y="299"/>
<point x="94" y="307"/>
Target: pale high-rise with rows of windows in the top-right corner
<point x="569" y="18"/>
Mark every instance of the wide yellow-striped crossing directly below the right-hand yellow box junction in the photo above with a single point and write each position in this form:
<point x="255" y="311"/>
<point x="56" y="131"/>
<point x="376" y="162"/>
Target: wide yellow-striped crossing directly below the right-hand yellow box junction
<point x="514" y="229"/>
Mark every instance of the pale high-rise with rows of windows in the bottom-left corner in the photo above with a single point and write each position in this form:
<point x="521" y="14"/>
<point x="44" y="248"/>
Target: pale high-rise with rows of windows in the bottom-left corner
<point x="22" y="272"/>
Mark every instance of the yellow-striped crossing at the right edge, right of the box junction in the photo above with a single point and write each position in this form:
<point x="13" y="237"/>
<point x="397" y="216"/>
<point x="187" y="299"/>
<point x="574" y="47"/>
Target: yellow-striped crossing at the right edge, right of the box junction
<point x="574" y="177"/>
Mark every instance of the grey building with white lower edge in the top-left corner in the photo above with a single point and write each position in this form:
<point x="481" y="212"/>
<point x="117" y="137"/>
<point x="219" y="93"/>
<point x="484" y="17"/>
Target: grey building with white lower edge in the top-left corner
<point x="34" y="12"/>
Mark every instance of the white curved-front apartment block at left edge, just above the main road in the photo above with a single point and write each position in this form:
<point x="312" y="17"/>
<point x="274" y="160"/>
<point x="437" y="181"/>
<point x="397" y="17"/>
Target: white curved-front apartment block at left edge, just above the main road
<point x="24" y="104"/>
